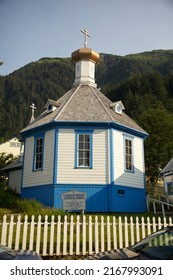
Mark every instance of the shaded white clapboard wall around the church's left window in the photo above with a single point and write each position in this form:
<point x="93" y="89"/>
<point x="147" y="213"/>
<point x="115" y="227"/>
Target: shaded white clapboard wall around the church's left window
<point x="45" y="176"/>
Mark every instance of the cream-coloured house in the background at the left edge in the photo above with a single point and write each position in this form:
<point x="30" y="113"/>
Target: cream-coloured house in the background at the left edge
<point x="11" y="147"/>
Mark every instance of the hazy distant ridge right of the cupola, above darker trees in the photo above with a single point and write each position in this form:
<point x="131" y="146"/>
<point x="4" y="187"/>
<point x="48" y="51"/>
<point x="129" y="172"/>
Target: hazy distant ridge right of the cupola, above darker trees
<point x="113" y="69"/>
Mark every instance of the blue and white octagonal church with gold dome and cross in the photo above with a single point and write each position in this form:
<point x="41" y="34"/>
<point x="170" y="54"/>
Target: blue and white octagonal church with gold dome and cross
<point x="85" y="142"/>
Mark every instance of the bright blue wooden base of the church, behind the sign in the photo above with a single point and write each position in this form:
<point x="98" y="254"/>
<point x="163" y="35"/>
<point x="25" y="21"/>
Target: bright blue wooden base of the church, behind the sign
<point x="99" y="198"/>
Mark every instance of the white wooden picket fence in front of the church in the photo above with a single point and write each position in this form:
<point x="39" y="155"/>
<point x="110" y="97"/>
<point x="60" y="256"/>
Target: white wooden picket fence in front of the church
<point x="76" y="235"/>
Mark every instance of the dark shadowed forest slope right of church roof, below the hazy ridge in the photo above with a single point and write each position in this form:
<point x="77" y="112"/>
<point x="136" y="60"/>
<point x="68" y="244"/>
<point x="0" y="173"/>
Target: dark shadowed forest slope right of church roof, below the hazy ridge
<point x="141" y="92"/>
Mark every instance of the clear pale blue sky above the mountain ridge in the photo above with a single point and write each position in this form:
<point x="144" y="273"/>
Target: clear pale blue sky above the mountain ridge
<point x="33" y="29"/>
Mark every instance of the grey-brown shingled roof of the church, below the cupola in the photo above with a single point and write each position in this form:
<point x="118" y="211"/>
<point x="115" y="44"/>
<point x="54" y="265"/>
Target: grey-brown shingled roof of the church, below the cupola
<point x="84" y="103"/>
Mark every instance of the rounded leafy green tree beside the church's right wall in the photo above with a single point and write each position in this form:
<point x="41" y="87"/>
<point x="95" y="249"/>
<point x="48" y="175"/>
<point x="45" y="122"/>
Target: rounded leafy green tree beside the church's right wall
<point x="159" y="144"/>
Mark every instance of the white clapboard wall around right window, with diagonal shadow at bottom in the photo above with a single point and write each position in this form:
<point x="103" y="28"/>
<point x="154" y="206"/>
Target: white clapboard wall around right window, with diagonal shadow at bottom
<point x="136" y="178"/>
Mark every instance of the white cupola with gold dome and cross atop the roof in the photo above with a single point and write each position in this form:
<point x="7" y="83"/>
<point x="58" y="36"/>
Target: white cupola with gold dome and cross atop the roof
<point x="85" y="60"/>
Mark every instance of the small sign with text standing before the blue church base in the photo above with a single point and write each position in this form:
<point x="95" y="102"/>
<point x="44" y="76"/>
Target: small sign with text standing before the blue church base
<point x="74" y="200"/>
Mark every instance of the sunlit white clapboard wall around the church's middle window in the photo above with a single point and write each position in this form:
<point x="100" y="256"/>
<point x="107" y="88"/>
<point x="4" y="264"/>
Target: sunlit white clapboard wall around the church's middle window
<point x="66" y="159"/>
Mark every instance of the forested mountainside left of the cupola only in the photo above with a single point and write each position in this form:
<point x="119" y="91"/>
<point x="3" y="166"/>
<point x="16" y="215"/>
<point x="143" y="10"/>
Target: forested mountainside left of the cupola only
<point x="36" y="82"/>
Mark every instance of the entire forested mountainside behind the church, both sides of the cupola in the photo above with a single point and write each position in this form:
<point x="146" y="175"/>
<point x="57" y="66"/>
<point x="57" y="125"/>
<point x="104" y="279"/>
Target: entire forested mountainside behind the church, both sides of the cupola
<point x="139" y="80"/>
